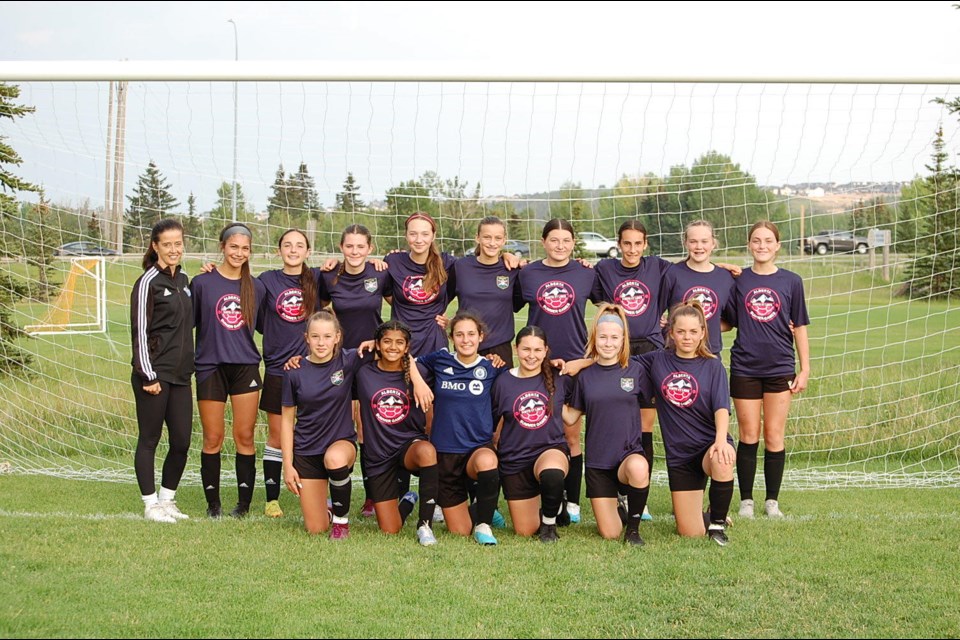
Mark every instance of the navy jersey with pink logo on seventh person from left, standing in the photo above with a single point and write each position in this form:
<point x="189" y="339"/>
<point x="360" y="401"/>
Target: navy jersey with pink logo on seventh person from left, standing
<point x="558" y="300"/>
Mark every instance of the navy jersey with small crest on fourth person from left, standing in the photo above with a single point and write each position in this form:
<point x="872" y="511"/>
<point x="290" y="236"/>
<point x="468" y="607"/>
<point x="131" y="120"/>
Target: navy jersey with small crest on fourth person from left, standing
<point x="357" y="300"/>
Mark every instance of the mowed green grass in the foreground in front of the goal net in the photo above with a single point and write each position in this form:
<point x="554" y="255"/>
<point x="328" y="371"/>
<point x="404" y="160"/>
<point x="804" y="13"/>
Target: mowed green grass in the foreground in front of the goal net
<point x="79" y="561"/>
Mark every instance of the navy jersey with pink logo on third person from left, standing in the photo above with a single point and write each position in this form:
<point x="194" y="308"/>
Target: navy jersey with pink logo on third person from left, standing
<point x="281" y="319"/>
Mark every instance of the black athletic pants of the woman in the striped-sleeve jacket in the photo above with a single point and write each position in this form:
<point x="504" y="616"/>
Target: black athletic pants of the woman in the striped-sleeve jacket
<point x="174" y="405"/>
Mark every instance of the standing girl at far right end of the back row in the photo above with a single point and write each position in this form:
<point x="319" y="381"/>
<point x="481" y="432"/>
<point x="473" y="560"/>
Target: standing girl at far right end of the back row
<point x="763" y="379"/>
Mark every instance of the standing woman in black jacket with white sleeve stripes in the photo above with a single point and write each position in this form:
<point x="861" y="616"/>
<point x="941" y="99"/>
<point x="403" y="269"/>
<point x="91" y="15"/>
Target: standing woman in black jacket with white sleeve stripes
<point x="161" y="323"/>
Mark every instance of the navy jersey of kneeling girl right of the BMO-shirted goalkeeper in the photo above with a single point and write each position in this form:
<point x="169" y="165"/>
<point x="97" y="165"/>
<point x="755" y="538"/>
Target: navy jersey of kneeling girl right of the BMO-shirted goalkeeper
<point x="528" y="430"/>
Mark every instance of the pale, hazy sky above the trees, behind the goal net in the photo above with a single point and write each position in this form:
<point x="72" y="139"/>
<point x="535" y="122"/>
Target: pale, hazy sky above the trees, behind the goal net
<point x="511" y="137"/>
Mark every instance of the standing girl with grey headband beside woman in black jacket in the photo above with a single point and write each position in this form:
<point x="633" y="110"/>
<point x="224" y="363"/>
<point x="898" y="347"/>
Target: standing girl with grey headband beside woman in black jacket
<point x="225" y="303"/>
